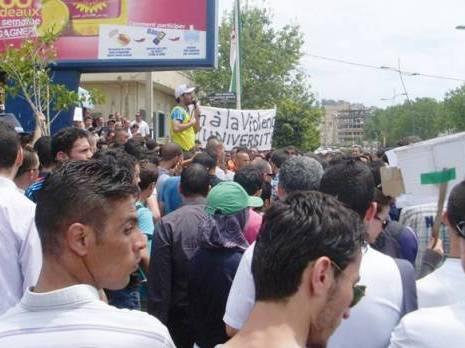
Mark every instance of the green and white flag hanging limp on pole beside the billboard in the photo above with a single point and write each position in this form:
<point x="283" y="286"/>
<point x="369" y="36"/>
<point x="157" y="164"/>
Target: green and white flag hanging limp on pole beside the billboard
<point x="234" y="54"/>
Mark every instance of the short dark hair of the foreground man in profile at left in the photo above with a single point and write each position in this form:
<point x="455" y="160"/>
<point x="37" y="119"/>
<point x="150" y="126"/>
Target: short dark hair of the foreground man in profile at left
<point x="79" y="191"/>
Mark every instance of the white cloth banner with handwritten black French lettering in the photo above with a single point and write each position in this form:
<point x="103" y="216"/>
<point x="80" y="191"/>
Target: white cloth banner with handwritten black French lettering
<point x="245" y="128"/>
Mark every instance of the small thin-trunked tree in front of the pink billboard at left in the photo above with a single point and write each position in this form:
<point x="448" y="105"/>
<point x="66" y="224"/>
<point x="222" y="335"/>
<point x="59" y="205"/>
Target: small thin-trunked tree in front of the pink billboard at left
<point x="28" y="70"/>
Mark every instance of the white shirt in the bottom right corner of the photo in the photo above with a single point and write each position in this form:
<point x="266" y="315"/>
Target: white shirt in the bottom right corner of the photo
<point x="435" y="327"/>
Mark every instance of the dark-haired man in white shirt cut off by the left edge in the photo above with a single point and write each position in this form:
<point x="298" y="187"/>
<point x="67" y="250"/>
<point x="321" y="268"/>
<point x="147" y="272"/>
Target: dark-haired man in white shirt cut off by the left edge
<point x="20" y="251"/>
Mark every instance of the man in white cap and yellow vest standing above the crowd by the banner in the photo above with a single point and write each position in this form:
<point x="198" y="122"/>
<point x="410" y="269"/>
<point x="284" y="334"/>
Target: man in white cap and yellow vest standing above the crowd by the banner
<point x="183" y="124"/>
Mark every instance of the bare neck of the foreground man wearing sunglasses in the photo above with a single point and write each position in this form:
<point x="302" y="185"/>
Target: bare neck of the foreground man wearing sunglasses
<point x="272" y="325"/>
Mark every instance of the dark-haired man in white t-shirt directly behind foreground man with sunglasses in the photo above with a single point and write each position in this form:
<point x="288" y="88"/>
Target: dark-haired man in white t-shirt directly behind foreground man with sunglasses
<point x="382" y="307"/>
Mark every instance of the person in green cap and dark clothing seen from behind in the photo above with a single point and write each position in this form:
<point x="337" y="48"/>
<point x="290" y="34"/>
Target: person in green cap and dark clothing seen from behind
<point x="221" y="245"/>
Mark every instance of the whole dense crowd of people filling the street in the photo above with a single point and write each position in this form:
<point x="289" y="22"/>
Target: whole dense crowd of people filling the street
<point x="110" y="239"/>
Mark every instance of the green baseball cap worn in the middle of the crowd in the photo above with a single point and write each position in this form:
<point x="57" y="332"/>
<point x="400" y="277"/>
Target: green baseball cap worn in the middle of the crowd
<point x="228" y="198"/>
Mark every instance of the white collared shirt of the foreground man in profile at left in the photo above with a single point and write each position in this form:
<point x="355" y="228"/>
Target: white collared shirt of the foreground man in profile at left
<point x="75" y="317"/>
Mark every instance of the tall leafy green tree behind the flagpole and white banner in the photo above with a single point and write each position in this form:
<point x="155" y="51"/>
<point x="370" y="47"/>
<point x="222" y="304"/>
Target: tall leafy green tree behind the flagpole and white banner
<point x="270" y="75"/>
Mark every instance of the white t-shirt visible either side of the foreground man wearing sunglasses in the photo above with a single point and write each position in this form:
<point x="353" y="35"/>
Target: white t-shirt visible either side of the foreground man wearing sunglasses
<point x="371" y="321"/>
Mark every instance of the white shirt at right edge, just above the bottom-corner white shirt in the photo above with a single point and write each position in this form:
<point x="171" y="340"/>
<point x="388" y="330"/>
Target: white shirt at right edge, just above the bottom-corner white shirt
<point x="443" y="287"/>
